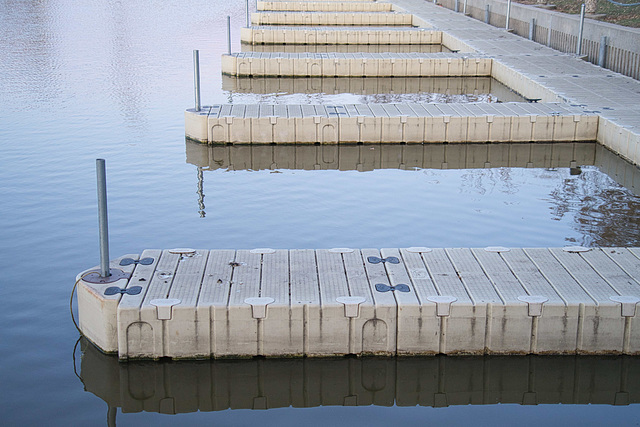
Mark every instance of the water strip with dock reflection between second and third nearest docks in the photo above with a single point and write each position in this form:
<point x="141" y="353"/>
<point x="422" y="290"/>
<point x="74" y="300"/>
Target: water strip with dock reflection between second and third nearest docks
<point x="358" y="90"/>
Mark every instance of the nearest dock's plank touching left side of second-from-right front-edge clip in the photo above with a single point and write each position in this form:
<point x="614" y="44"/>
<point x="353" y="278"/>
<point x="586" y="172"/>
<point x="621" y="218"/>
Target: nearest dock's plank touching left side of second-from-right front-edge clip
<point x="498" y="272"/>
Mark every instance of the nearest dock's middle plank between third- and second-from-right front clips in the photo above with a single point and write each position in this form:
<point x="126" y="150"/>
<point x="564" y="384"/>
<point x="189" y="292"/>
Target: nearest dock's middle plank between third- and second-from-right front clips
<point x="473" y="277"/>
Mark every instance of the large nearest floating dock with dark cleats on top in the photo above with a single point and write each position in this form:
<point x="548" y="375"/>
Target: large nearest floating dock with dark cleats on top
<point x="186" y="303"/>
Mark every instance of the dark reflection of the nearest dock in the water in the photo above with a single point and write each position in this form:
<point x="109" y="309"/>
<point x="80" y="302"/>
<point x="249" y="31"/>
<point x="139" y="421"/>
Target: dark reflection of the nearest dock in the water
<point x="174" y="387"/>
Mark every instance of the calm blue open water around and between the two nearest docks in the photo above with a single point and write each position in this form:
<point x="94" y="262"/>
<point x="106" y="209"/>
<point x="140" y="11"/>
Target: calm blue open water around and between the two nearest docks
<point x="82" y="80"/>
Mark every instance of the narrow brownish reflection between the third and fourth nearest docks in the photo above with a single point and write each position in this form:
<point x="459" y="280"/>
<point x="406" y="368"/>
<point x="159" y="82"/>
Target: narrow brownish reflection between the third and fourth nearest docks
<point x="345" y="48"/>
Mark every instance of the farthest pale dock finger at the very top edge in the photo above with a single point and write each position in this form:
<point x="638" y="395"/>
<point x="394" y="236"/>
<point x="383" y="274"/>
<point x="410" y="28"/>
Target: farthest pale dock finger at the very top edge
<point x="322" y="6"/>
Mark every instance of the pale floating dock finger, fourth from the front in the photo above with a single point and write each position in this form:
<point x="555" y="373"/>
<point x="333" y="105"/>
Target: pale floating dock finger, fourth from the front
<point x="338" y="35"/>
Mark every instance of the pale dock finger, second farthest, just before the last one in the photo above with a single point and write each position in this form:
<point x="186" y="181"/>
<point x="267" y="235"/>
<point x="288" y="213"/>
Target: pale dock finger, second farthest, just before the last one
<point x="332" y="18"/>
